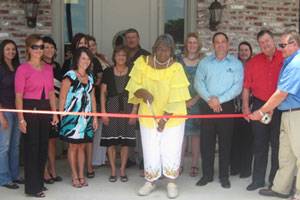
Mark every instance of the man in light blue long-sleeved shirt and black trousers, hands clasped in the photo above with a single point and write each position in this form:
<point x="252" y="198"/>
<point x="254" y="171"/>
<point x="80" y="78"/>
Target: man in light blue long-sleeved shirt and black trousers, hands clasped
<point x="218" y="80"/>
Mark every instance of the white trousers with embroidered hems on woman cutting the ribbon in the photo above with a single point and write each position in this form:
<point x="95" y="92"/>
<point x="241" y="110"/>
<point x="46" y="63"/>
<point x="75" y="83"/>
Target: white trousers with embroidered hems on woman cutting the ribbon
<point x="162" y="151"/>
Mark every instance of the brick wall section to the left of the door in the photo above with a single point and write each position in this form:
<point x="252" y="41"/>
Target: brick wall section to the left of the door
<point x="13" y="23"/>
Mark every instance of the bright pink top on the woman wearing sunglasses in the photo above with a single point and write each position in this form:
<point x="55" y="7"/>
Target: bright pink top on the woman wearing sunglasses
<point x="31" y="82"/>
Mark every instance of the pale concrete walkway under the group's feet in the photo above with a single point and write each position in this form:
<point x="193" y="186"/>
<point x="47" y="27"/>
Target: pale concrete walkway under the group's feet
<point x="100" y="189"/>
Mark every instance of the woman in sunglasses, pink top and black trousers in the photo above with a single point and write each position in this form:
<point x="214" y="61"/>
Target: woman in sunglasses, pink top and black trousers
<point x="34" y="89"/>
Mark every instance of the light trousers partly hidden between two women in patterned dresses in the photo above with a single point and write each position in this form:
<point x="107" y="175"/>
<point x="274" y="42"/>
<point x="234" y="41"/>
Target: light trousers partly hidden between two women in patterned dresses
<point x="99" y="152"/>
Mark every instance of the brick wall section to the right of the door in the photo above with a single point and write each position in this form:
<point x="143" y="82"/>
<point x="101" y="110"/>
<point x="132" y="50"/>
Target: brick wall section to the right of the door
<point x="243" y="19"/>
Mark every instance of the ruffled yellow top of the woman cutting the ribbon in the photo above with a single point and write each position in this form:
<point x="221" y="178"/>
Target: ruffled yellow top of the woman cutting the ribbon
<point x="169" y="88"/>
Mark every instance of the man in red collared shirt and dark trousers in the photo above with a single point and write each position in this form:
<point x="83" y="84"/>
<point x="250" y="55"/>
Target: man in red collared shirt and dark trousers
<point x="261" y="76"/>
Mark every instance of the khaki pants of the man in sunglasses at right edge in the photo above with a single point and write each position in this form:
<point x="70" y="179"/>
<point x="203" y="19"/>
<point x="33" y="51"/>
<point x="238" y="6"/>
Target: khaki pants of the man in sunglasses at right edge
<point x="289" y="153"/>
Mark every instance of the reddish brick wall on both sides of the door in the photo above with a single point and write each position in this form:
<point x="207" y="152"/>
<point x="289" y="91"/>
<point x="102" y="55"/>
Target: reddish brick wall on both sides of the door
<point x="241" y="20"/>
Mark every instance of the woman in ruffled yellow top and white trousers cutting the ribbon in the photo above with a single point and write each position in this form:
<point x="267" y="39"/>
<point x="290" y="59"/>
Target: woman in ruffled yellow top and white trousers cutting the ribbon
<point x="160" y="87"/>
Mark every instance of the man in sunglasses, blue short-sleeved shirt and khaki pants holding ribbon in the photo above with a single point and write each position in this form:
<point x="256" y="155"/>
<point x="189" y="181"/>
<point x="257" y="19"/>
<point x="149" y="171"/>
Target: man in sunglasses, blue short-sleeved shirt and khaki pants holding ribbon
<point x="287" y="98"/>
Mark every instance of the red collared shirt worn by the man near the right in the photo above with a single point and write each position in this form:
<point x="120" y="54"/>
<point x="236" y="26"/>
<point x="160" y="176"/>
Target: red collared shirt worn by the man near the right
<point x="261" y="75"/>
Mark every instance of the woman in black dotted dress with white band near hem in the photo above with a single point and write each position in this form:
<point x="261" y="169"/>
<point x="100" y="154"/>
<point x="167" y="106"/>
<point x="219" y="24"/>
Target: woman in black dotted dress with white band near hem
<point x="114" y="98"/>
